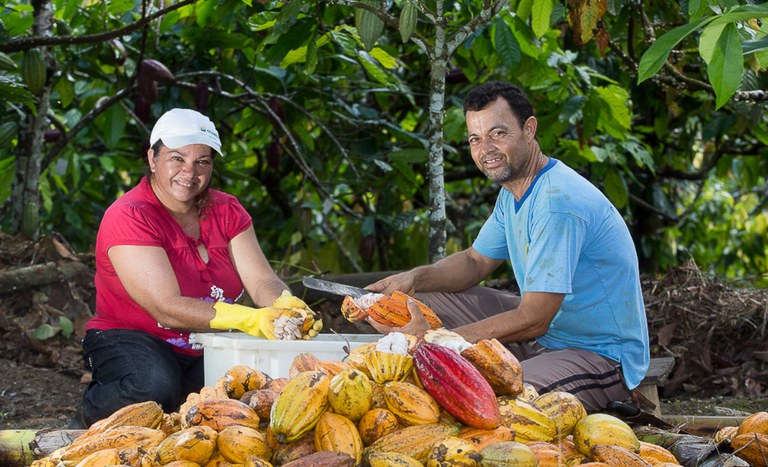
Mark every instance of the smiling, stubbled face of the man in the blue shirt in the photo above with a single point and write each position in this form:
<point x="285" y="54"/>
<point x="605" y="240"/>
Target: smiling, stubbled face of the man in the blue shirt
<point x="499" y="147"/>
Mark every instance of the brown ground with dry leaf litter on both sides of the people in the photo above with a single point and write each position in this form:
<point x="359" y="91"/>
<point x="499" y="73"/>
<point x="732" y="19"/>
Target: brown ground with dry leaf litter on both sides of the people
<point x="715" y="332"/>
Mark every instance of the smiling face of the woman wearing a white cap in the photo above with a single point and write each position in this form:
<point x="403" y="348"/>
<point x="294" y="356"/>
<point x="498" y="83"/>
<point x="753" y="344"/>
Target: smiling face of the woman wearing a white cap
<point x="181" y="174"/>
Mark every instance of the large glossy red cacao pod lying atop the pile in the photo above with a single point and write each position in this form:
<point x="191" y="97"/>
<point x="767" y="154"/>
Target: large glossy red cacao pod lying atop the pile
<point x="457" y="386"/>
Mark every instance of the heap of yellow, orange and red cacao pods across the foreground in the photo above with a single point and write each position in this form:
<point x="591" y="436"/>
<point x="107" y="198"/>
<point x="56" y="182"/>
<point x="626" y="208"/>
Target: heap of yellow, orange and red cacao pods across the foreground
<point x="386" y="404"/>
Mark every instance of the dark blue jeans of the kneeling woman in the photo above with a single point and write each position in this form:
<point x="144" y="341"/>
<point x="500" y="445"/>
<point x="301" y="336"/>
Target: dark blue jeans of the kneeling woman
<point x="133" y="366"/>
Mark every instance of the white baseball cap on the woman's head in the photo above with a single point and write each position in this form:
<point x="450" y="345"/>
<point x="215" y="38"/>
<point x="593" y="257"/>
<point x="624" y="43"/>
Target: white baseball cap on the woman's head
<point x="181" y="127"/>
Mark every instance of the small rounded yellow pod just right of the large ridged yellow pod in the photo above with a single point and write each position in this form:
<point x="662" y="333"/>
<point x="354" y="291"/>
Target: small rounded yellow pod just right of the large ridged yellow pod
<point x="351" y="394"/>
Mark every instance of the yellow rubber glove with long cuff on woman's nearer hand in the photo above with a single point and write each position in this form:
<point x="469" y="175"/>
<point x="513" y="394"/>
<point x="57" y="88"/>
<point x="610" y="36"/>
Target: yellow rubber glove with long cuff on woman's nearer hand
<point x="270" y="322"/>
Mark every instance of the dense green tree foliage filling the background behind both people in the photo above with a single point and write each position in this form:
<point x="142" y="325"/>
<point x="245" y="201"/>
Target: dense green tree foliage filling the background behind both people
<point x="326" y="132"/>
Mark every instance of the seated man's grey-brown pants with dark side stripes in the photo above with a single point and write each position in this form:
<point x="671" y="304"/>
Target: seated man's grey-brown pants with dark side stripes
<point x="594" y="379"/>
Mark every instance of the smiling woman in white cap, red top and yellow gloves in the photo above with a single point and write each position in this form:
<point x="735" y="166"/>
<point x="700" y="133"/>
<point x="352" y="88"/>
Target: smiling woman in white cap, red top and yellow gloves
<point x="172" y="257"/>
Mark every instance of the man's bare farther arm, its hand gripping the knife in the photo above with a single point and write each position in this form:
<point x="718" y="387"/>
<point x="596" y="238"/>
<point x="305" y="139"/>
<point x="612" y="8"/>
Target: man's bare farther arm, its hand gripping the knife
<point x="457" y="272"/>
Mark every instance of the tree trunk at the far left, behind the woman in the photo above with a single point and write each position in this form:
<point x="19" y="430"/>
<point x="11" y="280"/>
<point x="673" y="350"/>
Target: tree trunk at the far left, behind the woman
<point x="25" y="210"/>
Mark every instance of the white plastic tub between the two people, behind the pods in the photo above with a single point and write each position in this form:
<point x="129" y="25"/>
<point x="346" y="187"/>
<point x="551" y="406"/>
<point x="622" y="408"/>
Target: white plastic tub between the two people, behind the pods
<point x="225" y="350"/>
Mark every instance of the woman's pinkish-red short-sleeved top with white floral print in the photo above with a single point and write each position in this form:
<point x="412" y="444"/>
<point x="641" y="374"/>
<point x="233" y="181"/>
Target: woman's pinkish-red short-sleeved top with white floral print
<point x="138" y="218"/>
